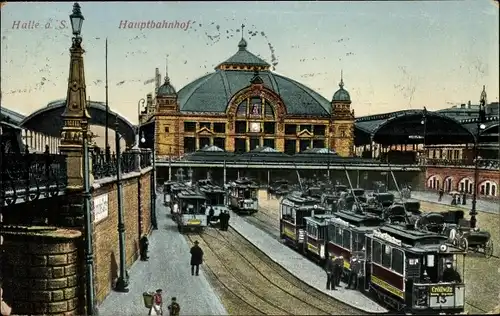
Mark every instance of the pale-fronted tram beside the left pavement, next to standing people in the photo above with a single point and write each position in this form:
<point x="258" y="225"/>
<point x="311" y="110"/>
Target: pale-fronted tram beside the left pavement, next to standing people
<point x="192" y="210"/>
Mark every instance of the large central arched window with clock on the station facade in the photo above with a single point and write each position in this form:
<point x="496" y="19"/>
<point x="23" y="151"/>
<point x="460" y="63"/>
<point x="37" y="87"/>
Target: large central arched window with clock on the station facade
<point x="255" y="124"/>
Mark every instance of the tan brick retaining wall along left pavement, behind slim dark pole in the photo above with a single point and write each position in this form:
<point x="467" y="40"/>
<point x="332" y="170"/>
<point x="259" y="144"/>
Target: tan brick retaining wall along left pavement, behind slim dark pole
<point x="137" y="222"/>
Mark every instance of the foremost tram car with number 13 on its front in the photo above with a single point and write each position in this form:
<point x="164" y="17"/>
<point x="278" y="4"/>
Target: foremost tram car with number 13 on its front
<point x="404" y="268"/>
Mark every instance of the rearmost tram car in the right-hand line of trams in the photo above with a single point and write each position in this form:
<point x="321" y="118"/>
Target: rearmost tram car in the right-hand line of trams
<point x="293" y="210"/>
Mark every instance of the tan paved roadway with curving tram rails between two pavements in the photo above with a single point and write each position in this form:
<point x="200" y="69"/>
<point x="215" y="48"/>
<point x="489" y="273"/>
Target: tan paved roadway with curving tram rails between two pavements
<point x="256" y="284"/>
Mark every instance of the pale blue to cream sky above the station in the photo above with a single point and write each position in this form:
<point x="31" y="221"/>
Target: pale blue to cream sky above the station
<point x="394" y="55"/>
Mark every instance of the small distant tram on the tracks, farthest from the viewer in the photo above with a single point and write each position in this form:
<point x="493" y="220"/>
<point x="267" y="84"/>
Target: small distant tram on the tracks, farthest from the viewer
<point x="243" y="196"/>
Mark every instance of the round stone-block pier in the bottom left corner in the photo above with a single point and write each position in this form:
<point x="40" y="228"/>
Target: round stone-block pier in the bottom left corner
<point x="40" y="269"/>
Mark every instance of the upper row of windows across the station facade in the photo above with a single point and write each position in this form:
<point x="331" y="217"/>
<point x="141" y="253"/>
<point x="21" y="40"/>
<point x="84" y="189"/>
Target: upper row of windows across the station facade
<point x="243" y="127"/>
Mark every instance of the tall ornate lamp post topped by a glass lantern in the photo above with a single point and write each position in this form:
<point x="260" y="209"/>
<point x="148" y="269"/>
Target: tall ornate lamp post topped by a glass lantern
<point x="74" y="143"/>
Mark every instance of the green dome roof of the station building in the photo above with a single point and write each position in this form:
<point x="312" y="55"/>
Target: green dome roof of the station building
<point x="212" y="92"/>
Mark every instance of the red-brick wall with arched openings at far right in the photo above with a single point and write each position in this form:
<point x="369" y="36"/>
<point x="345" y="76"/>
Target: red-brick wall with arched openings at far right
<point x="457" y="174"/>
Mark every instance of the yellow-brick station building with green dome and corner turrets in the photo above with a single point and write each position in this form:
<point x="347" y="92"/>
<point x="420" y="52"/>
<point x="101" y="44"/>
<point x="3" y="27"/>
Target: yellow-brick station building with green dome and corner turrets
<point x="242" y="106"/>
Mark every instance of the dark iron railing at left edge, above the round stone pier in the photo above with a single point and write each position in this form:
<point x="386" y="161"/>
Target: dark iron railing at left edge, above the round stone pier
<point x="26" y="177"/>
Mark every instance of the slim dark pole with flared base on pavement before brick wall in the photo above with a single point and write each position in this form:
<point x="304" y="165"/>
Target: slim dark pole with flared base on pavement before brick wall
<point x="122" y="282"/>
